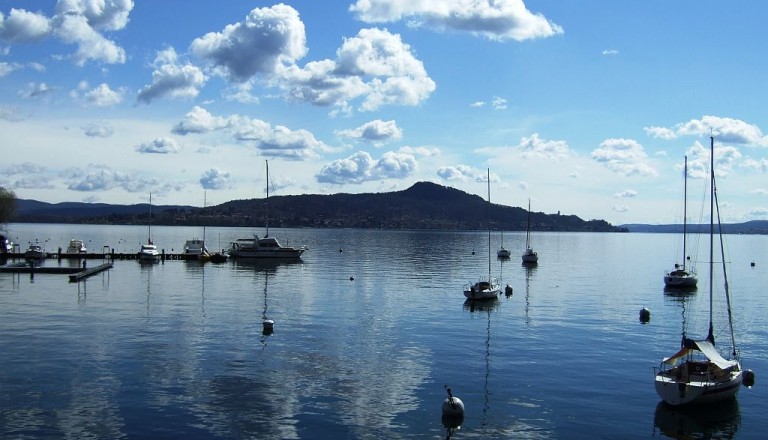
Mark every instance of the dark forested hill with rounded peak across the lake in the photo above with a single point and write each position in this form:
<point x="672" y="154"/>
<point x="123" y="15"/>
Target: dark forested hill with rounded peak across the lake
<point x="423" y="206"/>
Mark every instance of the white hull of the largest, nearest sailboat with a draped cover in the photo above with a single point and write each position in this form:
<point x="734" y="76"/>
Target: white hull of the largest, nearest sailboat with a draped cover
<point x="697" y="391"/>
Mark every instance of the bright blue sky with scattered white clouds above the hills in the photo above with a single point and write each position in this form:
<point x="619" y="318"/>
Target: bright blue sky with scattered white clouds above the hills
<point x="586" y="108"/>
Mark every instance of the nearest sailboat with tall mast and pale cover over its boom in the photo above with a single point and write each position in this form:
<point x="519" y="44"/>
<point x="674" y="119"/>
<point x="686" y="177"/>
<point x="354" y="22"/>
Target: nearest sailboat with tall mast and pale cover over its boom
<point x="698" y="372"/>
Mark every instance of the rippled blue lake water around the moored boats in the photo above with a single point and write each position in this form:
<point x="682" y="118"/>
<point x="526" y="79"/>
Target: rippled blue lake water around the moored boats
<point x="369" y="328"/>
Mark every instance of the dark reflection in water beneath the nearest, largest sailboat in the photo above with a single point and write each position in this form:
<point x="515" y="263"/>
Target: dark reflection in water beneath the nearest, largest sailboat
<point x="721" y="420"/>
